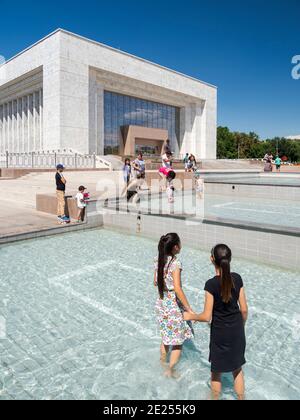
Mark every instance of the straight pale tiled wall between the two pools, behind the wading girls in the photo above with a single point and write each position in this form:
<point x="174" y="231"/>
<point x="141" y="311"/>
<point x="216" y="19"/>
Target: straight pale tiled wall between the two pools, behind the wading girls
<point x="280" y="249"/>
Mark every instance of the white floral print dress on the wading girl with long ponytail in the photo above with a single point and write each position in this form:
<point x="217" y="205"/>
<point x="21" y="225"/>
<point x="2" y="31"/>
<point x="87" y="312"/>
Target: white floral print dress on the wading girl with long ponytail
<point x="169" y="311"/>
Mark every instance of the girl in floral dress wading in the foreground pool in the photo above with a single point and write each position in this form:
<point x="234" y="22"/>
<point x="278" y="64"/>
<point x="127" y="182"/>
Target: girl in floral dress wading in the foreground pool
<point x="172" y="301"/>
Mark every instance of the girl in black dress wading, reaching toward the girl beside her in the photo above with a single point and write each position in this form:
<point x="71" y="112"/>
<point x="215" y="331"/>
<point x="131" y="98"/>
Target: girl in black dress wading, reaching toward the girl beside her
<point x="226" y="307"/>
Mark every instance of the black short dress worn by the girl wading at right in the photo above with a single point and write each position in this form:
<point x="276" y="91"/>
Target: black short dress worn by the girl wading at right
<point x="228" y="340"/>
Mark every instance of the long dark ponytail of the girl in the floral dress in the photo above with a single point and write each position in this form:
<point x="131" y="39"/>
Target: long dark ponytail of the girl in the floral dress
<point x="165" y="249"/>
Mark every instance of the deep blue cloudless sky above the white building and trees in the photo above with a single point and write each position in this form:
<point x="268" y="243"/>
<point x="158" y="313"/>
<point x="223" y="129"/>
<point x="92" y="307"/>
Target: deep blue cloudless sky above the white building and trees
<point x="243" y="47"/>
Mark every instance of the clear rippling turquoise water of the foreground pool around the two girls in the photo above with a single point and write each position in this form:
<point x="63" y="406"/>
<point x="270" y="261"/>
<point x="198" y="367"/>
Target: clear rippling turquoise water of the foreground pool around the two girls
<point x="79" y="313"/>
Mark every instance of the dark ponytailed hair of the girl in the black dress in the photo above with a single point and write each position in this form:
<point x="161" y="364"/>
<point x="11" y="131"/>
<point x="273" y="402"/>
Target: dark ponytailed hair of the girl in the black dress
<point x="222" y="256"/>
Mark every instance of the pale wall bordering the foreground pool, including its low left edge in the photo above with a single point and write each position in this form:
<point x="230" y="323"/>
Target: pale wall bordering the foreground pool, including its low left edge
<point x="267" y="245"/>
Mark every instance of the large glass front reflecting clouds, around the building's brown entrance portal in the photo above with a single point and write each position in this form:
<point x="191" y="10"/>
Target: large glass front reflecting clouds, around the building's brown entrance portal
<point x="121" y="110"/>
